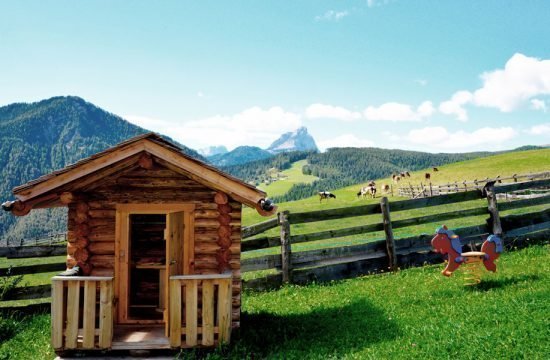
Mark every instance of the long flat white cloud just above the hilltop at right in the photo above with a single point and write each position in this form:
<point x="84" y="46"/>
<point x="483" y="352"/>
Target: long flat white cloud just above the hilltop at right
<point x="440" y="138"/>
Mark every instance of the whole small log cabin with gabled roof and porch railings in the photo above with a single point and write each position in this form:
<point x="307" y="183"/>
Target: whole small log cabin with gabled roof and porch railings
<point x="156" y="235"/>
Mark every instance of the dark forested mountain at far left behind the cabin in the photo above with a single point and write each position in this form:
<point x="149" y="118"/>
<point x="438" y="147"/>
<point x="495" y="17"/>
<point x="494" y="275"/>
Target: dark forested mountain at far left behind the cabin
<point x="40" y="137"/>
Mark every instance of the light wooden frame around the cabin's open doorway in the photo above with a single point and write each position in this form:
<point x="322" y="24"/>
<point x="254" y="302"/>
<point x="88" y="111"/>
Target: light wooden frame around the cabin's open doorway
<point x="122" y="227"/>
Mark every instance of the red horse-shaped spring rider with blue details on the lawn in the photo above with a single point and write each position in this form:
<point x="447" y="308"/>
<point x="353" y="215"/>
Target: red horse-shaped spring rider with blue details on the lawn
<point x="447" y="242"/>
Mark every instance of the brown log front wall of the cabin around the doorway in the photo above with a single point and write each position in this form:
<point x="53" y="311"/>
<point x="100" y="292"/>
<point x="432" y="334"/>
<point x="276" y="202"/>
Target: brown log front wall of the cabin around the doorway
<point x="156" y="185"/>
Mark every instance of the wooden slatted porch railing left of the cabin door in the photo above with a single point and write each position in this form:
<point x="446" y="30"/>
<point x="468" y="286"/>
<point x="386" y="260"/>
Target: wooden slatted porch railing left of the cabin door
<point x="74" y="316"/>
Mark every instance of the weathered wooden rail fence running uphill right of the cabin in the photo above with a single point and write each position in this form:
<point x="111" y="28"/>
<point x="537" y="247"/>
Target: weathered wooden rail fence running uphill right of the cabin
<point x="383" y="255"/>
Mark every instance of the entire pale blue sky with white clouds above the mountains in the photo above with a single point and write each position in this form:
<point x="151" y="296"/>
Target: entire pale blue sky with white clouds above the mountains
<point x="438" y="76"/>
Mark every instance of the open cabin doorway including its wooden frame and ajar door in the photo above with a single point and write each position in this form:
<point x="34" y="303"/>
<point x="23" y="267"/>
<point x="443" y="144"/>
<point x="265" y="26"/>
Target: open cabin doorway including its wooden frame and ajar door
<point x="153" y="243"/>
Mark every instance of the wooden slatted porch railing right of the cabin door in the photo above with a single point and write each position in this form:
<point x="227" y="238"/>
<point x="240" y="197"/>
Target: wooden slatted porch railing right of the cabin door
<point x="215" y="312"/>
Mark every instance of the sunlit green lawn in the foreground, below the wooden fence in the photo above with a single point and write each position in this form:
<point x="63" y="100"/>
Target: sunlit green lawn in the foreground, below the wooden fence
<point x="413" y="314"/>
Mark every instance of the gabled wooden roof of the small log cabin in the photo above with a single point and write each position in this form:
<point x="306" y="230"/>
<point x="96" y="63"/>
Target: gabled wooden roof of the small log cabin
<point x="51" y="185"/>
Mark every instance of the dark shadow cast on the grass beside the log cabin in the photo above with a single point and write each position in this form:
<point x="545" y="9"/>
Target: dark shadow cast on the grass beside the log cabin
<point x="318" y="333"/>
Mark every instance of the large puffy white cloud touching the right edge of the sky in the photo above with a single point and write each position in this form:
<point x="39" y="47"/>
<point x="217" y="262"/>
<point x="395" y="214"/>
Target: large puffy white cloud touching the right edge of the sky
<point x="507" y="89"/>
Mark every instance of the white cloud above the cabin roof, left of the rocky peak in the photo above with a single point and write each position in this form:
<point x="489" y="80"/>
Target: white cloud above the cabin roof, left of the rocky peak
<point x="254" y="126"/>
